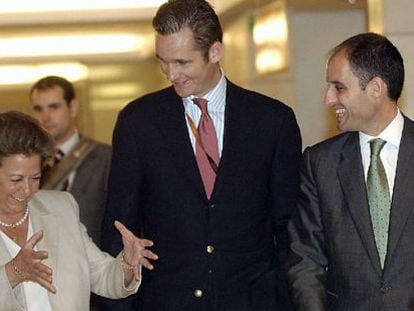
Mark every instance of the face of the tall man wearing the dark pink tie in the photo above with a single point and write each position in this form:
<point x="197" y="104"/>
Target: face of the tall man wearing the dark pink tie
<point x="185" y="66"/>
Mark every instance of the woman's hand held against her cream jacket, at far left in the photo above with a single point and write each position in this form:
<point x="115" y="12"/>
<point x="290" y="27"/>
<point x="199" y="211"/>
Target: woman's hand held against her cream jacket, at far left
<point x="28" y="266"/>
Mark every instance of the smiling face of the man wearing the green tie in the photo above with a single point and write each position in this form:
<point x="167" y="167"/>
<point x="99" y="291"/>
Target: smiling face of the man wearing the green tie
<point x="354" y="109"/>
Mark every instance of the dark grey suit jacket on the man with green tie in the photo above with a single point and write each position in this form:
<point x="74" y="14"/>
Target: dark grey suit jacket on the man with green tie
<point x="335" y="263"/>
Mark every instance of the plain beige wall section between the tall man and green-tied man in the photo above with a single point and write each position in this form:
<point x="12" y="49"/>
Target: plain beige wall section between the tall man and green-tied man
<point x="312" y="35"/>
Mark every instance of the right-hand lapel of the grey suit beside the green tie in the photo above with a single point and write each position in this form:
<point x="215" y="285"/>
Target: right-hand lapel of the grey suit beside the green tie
<point x="402" y="200"/>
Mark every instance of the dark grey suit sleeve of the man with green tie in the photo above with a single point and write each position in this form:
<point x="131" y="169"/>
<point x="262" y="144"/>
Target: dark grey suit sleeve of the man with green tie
<point x="308" y="260"/>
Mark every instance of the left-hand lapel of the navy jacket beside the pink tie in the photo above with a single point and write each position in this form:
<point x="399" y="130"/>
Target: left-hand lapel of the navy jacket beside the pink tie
<point x="171" y="122"/>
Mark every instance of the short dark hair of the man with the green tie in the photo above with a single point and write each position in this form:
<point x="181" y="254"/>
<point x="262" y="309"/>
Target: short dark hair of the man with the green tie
<point x="372" y="55"/>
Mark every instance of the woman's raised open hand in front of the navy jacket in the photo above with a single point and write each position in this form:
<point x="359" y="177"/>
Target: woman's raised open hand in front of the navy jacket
<point x="135" y="249"/>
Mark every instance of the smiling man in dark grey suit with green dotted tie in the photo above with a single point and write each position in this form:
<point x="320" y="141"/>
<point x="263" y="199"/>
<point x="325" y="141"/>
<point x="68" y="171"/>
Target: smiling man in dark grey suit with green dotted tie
<point x="352" y="237"/>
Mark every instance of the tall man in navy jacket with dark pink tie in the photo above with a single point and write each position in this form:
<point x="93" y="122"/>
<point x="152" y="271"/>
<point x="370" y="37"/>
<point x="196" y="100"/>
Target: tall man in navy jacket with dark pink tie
<point x="221" y="246"/>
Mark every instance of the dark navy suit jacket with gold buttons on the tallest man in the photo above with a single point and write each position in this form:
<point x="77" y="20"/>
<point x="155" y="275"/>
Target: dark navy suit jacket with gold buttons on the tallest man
<point x="155" y="189"/>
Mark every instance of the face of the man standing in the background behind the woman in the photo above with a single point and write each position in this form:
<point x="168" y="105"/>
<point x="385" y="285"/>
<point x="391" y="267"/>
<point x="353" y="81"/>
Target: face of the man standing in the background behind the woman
<point x="54" y="113"/>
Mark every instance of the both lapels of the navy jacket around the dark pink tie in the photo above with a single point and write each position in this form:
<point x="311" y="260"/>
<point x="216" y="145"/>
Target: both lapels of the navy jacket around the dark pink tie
<point x="239" y="118"/>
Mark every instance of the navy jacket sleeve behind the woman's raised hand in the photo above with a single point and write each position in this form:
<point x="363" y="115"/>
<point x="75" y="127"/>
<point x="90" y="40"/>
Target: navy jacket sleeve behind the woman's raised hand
<point x="123" y="196"/>
